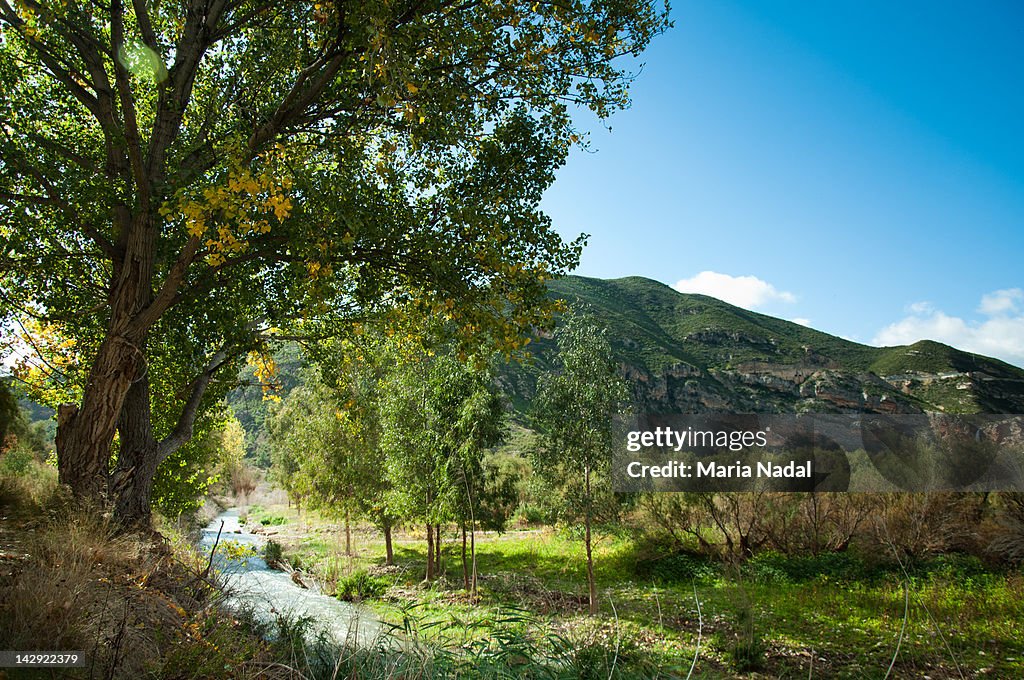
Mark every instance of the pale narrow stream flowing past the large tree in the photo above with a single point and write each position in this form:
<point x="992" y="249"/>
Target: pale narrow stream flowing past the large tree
<point x="249" y="582"/>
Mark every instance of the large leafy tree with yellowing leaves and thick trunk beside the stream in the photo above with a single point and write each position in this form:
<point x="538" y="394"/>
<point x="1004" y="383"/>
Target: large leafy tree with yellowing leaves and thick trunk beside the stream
<point x="179" y="180"/>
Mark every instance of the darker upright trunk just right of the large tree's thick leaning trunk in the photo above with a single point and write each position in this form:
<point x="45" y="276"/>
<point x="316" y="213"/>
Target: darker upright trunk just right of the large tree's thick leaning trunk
<point x="132" y="484"/>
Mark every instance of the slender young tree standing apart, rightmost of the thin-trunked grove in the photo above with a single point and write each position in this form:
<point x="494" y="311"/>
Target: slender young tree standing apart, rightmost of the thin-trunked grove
<point x="575" y="408"/>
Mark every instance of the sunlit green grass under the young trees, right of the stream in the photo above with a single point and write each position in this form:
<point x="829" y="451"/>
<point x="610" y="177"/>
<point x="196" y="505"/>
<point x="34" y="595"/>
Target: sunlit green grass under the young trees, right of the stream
<point x="773" y="617"/>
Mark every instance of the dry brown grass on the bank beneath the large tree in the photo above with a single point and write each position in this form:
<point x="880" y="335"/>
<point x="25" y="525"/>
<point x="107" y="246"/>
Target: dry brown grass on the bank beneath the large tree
<point x="139" y="606"/>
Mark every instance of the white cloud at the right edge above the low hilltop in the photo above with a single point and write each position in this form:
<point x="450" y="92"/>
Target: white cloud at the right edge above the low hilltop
<point x="1001" y="334"/>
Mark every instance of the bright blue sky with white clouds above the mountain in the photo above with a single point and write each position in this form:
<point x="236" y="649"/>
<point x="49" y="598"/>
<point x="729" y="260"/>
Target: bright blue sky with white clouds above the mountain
<point x="858" y="167"/>
